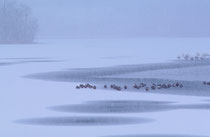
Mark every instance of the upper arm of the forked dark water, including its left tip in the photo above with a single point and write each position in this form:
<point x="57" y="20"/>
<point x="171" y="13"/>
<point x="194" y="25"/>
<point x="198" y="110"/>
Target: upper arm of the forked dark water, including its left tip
<point x="109" y="71"/>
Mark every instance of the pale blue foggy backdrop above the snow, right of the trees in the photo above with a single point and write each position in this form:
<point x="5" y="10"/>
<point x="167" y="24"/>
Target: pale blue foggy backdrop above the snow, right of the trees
<point x="122" y="18"/>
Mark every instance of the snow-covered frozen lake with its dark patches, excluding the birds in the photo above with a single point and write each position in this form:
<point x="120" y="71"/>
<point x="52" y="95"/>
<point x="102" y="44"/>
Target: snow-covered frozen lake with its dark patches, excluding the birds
<point x="38" y="96"/>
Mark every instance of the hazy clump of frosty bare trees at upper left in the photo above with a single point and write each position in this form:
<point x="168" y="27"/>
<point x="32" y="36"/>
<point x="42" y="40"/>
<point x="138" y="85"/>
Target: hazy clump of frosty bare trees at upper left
<point x="17" y="25"/>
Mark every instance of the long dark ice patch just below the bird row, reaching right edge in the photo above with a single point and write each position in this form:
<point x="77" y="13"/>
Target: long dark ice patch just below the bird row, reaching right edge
<point x="125" y="106"/>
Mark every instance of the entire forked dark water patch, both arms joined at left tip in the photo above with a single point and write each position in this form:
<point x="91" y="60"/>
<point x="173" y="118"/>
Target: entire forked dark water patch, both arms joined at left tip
<point x="100" y="76"/>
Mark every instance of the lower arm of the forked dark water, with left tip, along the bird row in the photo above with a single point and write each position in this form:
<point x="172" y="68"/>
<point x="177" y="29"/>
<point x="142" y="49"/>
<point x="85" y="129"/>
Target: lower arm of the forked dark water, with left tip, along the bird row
<point x="194" y="88"/>
